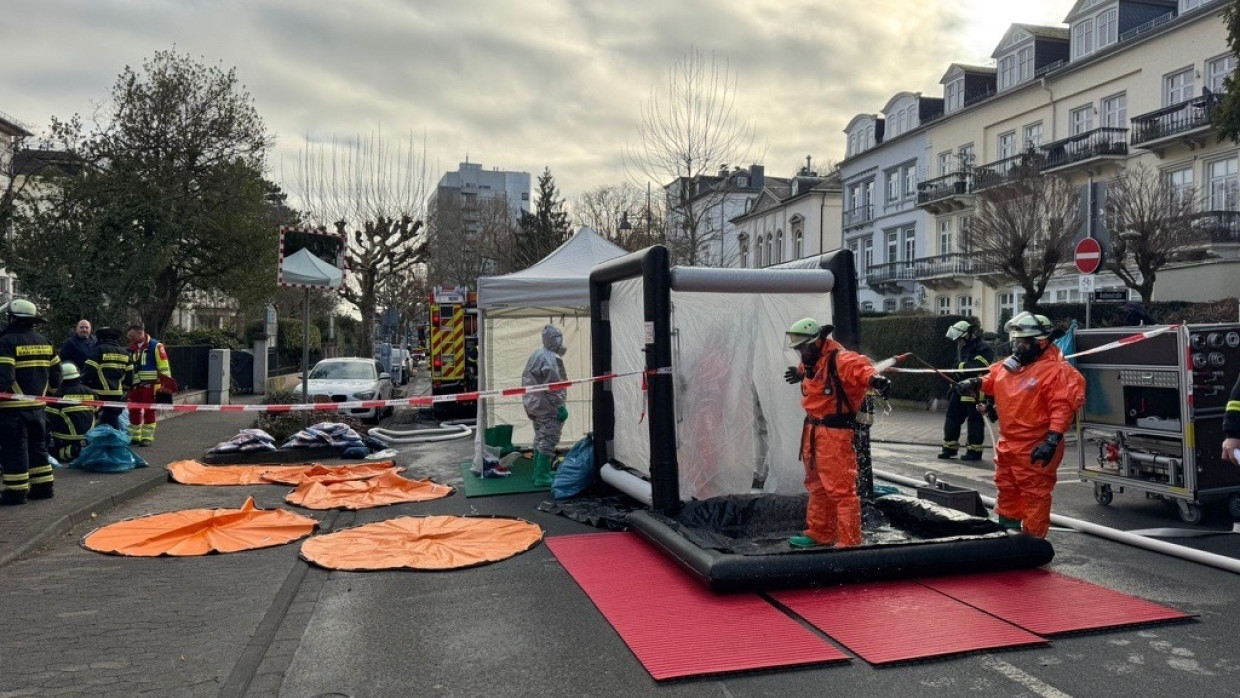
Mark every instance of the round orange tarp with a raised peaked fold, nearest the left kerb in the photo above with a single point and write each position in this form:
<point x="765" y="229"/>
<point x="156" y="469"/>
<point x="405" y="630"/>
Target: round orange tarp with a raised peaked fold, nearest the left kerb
<point x="198" y="532"/>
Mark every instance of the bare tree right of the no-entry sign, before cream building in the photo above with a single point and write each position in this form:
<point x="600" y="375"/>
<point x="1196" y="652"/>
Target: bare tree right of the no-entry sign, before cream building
<point x="1151" y="223"/>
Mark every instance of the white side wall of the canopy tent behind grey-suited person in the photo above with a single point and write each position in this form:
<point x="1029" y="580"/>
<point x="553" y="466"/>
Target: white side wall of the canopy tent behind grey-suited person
<point x="511" y="335"/>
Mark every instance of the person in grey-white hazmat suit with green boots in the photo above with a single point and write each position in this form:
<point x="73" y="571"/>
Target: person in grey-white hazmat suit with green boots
<point x="546" y="409"/>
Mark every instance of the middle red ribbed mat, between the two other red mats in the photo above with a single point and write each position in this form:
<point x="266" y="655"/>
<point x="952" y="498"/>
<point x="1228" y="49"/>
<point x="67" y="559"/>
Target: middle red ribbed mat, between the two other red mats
<point x="898" y="622"/>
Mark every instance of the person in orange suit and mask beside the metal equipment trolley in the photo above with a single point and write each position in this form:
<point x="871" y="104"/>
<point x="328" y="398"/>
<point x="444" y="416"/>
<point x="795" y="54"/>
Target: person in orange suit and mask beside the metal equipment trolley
<point x="1038" y="395"/>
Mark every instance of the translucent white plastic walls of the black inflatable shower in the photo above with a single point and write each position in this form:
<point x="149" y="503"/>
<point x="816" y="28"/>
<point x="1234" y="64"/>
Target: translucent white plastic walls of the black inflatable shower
<point x="737" y="418"/>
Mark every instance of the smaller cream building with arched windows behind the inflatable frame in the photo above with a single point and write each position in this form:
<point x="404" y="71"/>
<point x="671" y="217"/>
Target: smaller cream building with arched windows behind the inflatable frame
<point x="790" y="220"/>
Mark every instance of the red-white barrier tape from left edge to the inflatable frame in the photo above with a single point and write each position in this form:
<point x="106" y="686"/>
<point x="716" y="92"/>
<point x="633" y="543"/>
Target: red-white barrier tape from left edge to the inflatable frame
<point x="334" y="406"/>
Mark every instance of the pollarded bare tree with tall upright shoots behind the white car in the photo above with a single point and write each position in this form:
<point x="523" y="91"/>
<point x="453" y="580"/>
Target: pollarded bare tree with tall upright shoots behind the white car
<point x="374" y="194"/>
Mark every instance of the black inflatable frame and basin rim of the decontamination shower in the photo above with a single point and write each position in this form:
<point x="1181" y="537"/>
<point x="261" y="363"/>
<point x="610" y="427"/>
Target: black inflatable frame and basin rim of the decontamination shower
<point x="728" y="572"/>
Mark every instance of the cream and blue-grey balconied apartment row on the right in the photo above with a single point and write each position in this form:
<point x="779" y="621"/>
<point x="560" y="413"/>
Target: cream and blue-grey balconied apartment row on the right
<point x="1127" y="84"/>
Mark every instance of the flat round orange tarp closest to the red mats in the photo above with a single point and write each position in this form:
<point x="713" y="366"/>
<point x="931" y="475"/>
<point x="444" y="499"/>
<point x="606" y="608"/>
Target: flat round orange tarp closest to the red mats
<point x="430" y="542"/>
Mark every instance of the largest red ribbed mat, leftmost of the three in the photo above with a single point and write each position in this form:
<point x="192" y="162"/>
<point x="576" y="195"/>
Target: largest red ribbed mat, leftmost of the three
<point x="674" y="625"/>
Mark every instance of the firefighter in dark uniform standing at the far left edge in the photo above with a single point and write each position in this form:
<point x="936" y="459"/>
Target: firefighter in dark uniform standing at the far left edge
<point x="29" y="366"/>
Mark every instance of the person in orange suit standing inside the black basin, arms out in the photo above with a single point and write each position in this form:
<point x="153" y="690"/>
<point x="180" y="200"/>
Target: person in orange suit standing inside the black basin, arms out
<point x="834" y="384"/>
